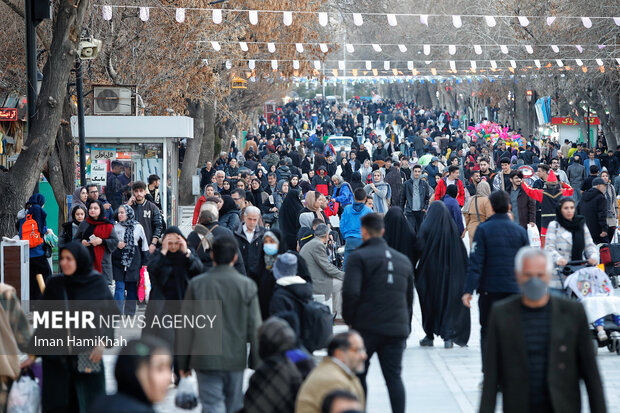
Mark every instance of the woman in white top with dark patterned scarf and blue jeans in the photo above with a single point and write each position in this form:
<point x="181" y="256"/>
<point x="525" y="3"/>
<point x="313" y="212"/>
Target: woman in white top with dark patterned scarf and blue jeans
<point x="128" y="258"/>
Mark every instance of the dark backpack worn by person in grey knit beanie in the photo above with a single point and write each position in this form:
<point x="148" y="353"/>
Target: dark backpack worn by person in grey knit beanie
<point x="316" y="325"/>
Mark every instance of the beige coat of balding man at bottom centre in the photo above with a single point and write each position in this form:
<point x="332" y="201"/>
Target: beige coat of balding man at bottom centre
<point x="325" y="378"/>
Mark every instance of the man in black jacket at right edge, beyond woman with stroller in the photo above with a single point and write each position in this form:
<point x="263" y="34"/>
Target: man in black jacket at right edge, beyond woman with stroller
<point x="593" y="207"/>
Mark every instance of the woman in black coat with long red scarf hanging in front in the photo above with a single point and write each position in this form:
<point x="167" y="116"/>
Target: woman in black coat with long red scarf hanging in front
<point x="97" y="234"/>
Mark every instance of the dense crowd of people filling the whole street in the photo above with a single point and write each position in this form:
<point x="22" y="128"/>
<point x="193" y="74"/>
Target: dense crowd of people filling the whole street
<point x="286" y="219"/>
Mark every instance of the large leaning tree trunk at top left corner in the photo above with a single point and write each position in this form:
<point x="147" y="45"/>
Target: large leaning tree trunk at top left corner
<point x="17" y="185"/>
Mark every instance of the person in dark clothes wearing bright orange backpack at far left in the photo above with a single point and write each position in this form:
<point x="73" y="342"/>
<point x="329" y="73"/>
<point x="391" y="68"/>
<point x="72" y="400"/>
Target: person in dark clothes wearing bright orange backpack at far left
<point x="38" y="261"/>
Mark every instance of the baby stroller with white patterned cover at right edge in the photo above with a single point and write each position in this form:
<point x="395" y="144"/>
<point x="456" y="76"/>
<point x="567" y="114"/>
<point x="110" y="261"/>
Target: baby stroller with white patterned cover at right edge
<point x="593" y="288"/>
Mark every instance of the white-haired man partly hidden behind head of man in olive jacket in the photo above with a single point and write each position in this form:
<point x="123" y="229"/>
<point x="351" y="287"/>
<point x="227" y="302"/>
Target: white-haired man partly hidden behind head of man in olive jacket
<point x="206" y="230"/>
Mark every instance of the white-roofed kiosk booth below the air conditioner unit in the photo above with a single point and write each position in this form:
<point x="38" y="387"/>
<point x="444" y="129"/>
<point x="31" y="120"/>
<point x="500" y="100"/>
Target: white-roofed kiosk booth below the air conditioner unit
<point x="146" y="145"/>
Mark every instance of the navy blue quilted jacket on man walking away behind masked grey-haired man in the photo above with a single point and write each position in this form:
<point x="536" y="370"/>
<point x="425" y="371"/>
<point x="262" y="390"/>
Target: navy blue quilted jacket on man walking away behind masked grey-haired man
<point x="491" y="261"/>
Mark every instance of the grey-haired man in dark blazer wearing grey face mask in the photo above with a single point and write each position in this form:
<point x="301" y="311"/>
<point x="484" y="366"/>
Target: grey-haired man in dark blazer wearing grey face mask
<point x="539" y="347"/>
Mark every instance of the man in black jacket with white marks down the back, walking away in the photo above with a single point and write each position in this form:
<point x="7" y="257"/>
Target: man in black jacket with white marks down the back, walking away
<point x="375" y="275"/>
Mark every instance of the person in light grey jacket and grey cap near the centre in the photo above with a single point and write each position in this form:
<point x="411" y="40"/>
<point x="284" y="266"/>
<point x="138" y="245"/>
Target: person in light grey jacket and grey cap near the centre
<point x="326" y="277"/>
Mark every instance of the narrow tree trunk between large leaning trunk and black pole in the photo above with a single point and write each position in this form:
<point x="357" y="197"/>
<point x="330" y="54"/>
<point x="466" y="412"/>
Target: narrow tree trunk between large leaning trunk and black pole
<point x="60" y="171"/>
